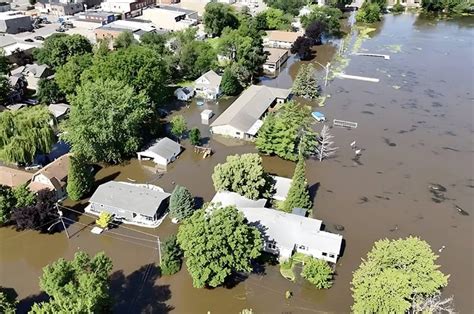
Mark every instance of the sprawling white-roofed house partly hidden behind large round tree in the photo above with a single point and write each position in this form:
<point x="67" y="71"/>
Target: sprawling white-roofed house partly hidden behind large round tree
<point x="284" y="233"/>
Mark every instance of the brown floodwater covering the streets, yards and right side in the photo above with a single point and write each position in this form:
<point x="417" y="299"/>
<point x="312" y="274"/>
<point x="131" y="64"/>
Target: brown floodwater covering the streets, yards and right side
<point x="415" y="128"/>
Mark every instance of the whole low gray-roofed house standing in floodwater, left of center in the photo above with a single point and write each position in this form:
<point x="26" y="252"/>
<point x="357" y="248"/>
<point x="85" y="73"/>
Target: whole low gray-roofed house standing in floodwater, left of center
<point x="131" y="203"/>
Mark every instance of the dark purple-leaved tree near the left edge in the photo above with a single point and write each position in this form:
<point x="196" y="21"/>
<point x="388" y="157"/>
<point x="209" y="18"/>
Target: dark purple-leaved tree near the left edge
<point x="39" y="215"/>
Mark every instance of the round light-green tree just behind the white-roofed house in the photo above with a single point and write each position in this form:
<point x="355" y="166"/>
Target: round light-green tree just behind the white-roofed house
<point x="243" y="174"/>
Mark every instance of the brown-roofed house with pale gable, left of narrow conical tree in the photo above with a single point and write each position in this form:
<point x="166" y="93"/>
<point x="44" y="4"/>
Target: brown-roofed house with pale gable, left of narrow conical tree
<point x="52" y="177"/>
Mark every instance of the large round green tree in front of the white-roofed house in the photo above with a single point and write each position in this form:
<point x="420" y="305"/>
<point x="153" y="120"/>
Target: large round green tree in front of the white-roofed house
<point x="216" y="243"/>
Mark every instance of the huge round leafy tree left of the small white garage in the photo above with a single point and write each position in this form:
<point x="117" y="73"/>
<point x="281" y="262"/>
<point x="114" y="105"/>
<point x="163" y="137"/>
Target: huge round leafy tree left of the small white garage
<point x="107" y="120"/>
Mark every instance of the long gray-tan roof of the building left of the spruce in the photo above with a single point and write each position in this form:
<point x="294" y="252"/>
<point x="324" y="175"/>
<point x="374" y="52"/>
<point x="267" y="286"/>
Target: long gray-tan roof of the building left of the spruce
<point x="250" y="107"/>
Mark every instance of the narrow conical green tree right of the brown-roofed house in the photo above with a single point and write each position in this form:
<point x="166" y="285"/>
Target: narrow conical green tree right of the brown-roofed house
<point x="79" y="179"/>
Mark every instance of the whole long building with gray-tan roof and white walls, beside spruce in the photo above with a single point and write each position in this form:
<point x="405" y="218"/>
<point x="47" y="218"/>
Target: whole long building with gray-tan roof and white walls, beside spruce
<point x="242" y="119"/>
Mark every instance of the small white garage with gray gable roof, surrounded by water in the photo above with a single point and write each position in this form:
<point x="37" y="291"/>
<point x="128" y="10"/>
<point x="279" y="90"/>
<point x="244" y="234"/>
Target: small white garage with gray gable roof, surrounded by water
<point x="162" y="152"/>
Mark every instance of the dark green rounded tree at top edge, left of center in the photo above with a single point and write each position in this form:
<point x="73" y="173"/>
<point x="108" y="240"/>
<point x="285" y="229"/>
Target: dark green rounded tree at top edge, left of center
<point x="217" y="16"/>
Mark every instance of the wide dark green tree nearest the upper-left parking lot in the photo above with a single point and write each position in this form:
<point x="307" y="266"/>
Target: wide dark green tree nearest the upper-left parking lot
<point x="57" y="48"/>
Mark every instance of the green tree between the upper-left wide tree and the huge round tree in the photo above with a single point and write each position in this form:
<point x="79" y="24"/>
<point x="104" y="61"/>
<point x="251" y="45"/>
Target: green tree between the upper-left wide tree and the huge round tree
<point x="68" y="76"/>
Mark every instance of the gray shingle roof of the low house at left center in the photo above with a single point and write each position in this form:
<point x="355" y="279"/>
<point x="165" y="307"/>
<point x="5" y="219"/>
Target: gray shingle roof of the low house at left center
<point x="129" y="197"/>
